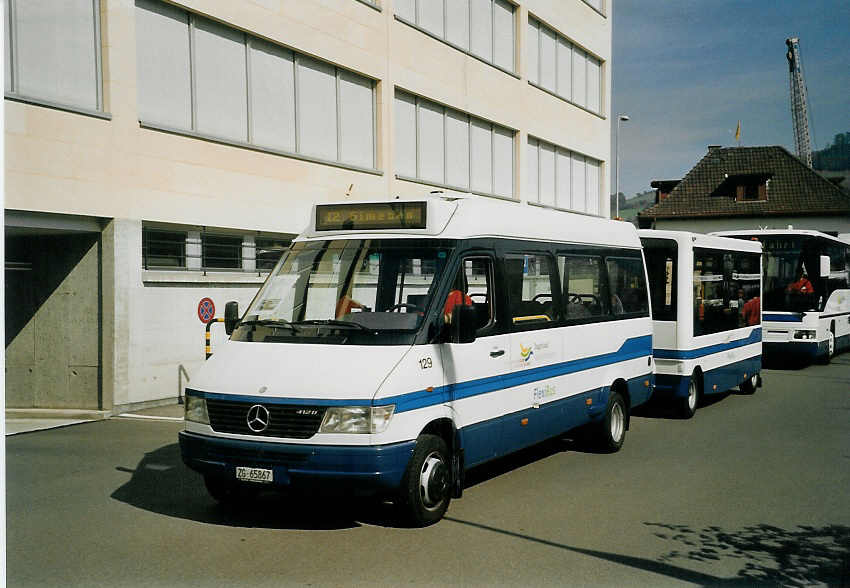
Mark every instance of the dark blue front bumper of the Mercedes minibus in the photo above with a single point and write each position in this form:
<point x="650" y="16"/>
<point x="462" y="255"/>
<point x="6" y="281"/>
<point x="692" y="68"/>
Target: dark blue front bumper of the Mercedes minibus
<point x="330" y="469"/>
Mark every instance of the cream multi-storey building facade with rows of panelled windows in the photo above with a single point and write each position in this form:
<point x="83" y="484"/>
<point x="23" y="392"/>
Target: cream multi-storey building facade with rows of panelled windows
<point x="160" y="152"/>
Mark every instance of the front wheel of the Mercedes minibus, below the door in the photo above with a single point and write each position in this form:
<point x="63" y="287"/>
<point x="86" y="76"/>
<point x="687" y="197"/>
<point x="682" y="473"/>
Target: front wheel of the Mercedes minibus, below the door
<point x="425" y="490"/>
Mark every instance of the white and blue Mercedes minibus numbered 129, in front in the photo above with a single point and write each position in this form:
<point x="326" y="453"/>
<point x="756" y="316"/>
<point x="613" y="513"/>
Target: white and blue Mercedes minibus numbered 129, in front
<point x="397" y="344"/>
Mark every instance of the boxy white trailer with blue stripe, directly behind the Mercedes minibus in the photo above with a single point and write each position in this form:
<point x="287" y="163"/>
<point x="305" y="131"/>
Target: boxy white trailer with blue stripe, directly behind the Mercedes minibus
<point x="707" y="333"/>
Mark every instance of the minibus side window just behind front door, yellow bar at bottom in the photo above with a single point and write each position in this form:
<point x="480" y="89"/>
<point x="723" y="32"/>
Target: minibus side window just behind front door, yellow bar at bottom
<point x="529" y="281"/>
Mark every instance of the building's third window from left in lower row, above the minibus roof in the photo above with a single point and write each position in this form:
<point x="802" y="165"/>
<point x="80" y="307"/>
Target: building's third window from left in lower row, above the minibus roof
<point x="446" y="147"/>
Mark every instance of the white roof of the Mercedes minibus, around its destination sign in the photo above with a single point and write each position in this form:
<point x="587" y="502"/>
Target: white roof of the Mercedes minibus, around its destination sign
<point x="478" y="216"/>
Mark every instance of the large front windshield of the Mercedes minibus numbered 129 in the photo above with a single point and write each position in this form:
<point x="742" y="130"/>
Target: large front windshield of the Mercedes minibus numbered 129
<point x="356" y="288"/>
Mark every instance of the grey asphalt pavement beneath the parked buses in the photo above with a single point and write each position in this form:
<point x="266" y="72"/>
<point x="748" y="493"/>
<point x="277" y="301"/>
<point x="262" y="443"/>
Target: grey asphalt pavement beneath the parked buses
<point x="753" y="489"/>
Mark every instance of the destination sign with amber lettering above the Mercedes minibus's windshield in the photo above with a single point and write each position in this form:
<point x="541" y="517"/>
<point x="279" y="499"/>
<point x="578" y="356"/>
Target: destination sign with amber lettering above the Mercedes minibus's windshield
<point x="371" y="216"/>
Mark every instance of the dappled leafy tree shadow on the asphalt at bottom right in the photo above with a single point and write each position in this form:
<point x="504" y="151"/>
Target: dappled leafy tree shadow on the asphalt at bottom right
<point x="770" y="555"/>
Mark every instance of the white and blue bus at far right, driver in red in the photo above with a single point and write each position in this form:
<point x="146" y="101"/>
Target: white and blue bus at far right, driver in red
<point x="806" y="308"/>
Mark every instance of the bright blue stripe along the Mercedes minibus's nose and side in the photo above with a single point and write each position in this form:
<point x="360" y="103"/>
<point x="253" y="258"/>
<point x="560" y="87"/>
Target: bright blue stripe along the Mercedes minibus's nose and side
<point x="632" y="348"/>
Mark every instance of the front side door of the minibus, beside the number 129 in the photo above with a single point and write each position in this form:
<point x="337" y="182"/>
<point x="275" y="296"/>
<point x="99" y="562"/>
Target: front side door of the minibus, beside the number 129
<point x="474" y="372"/>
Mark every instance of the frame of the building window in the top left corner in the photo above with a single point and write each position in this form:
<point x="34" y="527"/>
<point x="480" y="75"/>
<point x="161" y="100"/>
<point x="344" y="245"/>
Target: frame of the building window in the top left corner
<point x="11" y="40"/>
